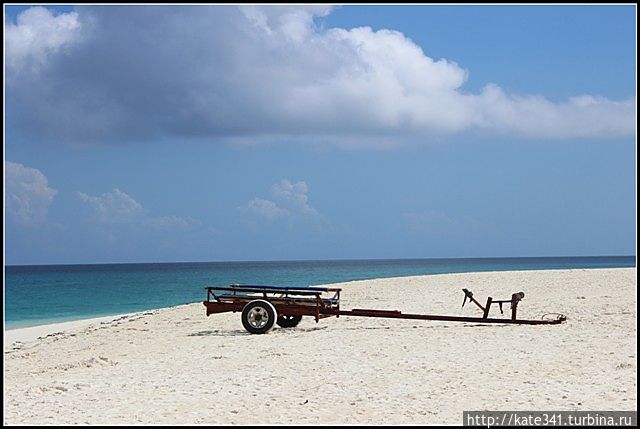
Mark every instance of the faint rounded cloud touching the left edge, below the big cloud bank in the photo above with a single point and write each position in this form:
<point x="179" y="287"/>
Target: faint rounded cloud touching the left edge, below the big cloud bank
<point x="27" y="194"/>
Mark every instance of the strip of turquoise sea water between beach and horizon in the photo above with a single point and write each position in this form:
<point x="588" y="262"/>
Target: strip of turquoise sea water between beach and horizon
<point x="43" y="294"/>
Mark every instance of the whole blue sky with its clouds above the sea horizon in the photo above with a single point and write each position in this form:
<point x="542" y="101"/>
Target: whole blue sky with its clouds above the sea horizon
<point x="211" y="133"/>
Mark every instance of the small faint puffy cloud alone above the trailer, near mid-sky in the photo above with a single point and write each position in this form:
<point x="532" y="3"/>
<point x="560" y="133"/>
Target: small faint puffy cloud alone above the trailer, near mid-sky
<point x="292" y="200"/>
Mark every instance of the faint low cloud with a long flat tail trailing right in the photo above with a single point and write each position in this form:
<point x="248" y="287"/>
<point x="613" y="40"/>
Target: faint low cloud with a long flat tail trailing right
<point x="118" y="207"/>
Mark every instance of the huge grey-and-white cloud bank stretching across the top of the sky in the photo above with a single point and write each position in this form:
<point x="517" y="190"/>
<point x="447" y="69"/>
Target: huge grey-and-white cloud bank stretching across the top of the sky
<point x="108" y="74"/>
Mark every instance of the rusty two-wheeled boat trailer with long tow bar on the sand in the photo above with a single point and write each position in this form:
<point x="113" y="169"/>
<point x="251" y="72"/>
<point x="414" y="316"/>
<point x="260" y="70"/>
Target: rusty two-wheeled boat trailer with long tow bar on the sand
<point x="263" y="306"/>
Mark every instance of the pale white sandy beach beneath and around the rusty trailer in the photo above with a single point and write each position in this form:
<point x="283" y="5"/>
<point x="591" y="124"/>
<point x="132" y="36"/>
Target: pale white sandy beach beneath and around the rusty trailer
<point x="176" y="365"/>
